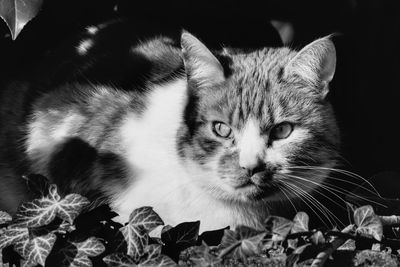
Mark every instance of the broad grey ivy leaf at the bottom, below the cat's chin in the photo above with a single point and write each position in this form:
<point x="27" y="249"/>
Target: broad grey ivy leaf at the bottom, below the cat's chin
<point x="241" y="243"/>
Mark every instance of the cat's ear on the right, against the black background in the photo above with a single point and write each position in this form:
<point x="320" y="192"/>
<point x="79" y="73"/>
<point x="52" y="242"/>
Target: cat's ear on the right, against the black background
<point x="316" y="63"/>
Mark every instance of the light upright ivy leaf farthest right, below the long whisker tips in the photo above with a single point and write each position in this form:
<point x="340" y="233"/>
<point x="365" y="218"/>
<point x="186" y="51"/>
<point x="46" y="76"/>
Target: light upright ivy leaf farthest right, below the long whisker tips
<point x="368" y="223"/>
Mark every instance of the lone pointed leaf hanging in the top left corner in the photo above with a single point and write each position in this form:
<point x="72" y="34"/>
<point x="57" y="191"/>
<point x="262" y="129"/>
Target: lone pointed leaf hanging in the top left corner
<point x="17" y="13"/>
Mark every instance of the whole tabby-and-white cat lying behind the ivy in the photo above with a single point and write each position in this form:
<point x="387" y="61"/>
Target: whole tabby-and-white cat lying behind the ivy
<point x="216" y="136"/>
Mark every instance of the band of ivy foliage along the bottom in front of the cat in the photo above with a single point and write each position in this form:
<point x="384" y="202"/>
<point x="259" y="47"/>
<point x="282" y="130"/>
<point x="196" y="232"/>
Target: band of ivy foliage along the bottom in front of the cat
<point x="63" y="231"/>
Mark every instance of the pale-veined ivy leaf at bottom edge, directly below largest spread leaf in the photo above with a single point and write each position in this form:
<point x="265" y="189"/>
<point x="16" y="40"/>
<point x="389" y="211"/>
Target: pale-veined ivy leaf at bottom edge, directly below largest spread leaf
<point x="38" y="248"/>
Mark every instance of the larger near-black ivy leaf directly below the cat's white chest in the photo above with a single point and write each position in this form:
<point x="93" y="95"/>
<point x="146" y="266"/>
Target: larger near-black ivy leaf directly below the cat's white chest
<point x="180" y="237"/>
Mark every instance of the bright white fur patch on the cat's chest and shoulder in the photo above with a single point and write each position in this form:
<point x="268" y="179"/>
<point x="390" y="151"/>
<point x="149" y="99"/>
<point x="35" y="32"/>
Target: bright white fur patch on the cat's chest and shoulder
<point x="159" y="178"/>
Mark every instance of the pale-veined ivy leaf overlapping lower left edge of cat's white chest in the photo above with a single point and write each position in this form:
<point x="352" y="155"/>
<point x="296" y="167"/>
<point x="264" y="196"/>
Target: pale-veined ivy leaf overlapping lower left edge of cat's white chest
<point x="141" y="222"/>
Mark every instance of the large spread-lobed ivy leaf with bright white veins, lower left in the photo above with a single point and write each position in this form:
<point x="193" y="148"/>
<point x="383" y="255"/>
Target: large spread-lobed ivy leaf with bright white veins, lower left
<point x="42" y="211"/>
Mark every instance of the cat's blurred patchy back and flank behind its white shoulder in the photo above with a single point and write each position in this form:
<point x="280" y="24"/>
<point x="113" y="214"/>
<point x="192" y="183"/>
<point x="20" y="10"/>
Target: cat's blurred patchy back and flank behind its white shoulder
<point x="74" y="102"/>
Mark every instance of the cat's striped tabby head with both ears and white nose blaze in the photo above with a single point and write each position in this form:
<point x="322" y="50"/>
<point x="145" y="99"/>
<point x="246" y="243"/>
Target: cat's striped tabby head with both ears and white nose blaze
<point x="257" y="121"/>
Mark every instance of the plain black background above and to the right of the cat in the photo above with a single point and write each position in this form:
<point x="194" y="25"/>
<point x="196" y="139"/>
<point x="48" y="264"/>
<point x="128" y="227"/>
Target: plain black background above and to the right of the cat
<point x="365" y="89"/>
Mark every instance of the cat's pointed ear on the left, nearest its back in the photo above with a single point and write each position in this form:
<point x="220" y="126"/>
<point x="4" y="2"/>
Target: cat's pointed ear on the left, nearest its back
<point x="201" y="65"/>
